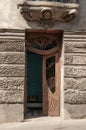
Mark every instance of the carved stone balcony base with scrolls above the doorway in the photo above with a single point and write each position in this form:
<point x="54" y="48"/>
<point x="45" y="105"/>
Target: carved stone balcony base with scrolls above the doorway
<point x="46" y="13"/>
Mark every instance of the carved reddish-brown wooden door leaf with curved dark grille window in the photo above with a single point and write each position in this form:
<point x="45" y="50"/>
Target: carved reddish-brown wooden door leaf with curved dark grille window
<point x="51" y="90"/>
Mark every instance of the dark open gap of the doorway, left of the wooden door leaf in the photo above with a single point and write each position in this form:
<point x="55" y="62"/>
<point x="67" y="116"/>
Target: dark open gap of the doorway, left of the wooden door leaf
<point x="34" y="84"/>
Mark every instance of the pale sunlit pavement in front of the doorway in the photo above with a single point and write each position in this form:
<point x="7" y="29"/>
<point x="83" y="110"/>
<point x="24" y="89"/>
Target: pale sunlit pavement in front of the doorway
<point x="45" y="123"/>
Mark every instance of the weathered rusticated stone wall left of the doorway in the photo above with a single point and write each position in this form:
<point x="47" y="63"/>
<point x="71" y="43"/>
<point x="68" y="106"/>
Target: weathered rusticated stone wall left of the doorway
<point x="12" y="73"/>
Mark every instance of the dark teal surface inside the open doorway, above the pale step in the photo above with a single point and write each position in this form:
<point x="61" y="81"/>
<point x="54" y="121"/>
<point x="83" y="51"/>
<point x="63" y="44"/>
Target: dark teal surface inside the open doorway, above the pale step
<point x="34" y="84"/>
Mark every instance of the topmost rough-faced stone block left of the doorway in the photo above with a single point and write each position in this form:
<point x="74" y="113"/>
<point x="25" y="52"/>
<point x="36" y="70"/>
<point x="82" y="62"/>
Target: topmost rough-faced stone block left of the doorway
<point x="13" y="46"/>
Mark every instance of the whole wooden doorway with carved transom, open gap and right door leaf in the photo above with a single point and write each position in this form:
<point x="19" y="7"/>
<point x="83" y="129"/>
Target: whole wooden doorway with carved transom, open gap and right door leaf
<point x="42" y="95"/>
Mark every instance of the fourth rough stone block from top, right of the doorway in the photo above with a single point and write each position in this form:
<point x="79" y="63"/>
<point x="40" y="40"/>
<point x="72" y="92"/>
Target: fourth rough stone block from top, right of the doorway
<point x="75" y="83"/>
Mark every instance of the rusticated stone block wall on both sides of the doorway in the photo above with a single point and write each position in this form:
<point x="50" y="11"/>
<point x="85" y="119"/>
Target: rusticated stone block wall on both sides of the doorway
<point x="12" y="74"/>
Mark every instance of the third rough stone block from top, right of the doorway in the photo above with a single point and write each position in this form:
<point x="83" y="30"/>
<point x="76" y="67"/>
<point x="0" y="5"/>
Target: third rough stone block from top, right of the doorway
<point x="75" y="71"/>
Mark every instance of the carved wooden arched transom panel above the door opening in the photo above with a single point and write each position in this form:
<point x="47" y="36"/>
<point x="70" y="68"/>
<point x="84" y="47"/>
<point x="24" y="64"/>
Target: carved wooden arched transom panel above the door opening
<point x="43" y="44"/>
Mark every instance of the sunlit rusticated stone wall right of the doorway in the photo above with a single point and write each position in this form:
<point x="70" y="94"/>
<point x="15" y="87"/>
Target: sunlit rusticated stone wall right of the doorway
<point x="75" y="74"/>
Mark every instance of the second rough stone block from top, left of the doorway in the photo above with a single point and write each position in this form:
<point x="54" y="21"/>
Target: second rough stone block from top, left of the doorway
<point x="12" y="58"/>
